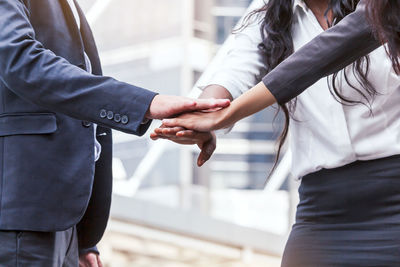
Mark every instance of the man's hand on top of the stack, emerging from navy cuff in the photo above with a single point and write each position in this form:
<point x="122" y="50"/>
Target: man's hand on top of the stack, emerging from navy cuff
<point x="164" y="106"/>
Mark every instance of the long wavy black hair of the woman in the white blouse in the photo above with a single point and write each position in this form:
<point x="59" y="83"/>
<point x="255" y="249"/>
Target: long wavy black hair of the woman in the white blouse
<point x="277" y="45"/>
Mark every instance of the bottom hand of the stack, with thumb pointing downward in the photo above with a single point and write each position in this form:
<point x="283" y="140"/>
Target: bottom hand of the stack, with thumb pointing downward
<point x="206" y="141"/>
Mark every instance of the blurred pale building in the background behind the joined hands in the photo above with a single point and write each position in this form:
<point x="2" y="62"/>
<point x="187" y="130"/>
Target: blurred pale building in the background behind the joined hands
<point x="166" y="211"/>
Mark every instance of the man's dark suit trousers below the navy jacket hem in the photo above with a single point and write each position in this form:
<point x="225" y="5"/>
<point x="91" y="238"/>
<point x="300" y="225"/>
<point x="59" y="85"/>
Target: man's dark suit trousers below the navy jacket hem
<point x="39" y="249"/>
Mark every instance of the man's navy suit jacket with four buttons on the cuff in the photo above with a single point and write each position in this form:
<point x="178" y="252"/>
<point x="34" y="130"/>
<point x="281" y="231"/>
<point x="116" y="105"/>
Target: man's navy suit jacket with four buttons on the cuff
<point x="48" y="178"/>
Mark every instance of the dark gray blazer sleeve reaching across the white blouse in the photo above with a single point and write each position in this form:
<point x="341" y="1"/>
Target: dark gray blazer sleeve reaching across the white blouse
<point x="328" y="53"/>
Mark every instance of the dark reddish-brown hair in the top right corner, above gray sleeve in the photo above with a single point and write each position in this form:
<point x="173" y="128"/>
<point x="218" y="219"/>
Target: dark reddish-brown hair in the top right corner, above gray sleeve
<point x="384" y="16"/>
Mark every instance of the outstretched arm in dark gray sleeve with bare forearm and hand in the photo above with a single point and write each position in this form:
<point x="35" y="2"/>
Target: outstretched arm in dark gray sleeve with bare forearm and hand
<point x="331" y="51"/>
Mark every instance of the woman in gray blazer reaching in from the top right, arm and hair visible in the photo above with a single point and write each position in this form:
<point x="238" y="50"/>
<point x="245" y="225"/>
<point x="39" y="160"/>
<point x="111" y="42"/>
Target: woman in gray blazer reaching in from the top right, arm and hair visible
<point x="355" y="36"/>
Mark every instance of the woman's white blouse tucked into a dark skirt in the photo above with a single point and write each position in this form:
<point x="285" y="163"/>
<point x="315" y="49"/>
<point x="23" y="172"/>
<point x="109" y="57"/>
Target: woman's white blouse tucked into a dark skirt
<point x="325" y="134"/>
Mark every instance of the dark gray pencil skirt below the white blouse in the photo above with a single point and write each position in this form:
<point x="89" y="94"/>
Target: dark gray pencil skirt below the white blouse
<point x="348" y="216"/>
